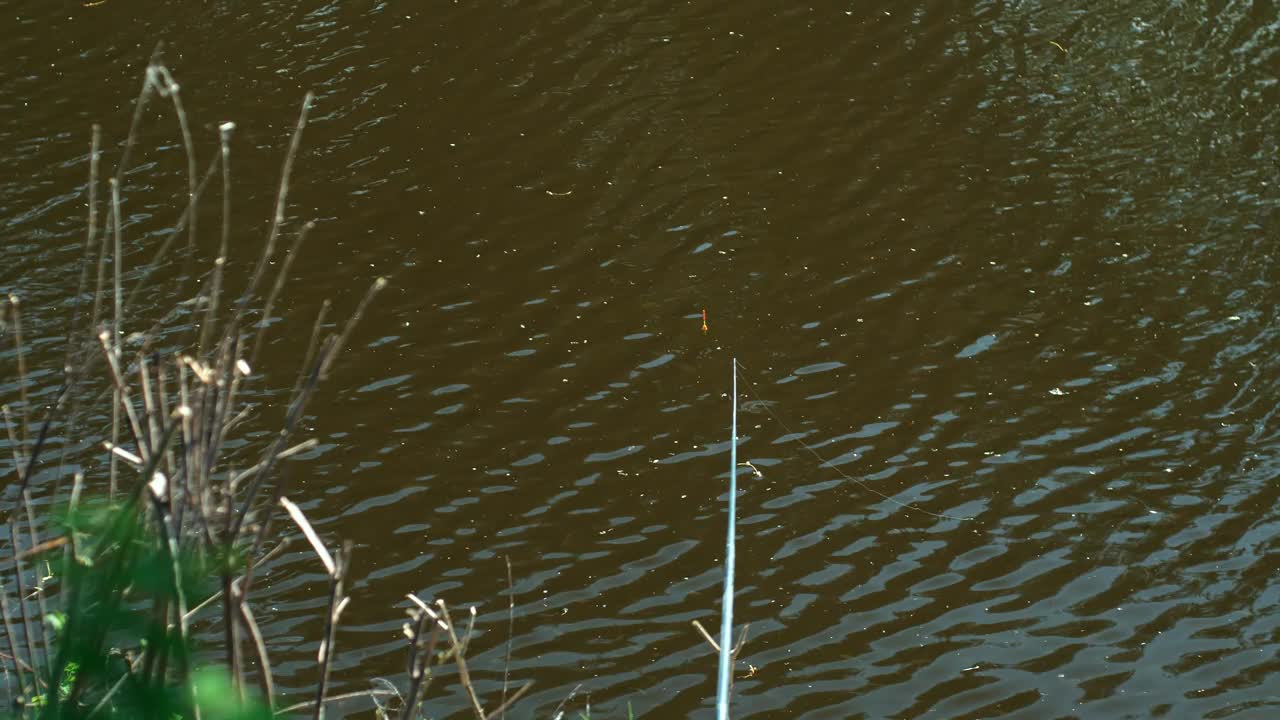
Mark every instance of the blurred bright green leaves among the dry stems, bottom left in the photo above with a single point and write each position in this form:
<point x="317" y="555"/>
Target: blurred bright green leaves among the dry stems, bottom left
<point x="118" y="651"/>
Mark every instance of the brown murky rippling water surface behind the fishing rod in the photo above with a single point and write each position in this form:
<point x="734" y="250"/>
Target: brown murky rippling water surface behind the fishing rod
<point x="1012" y="262"/>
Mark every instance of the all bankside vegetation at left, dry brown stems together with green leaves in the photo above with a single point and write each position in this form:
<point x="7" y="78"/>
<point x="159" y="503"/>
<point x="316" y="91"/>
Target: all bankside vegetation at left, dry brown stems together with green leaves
<point x="117" y="548"/>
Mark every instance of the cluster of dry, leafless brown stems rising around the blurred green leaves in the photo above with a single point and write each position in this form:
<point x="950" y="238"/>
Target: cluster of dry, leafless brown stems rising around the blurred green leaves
<point x="172" y="417"/>
